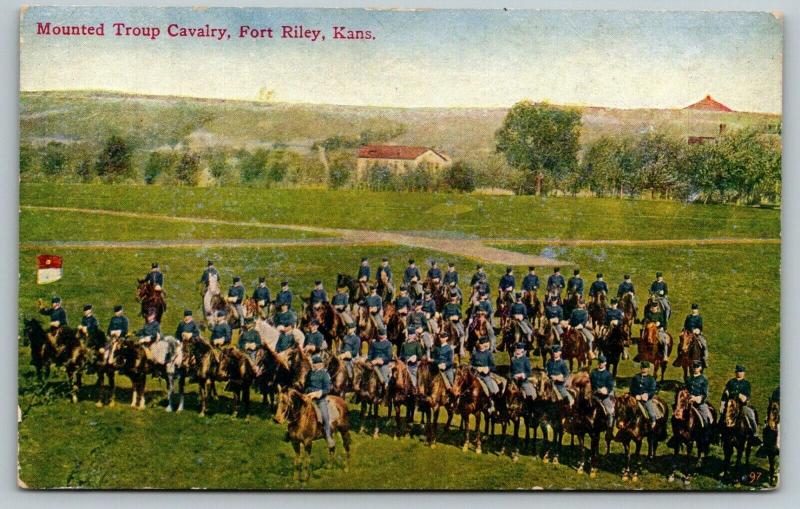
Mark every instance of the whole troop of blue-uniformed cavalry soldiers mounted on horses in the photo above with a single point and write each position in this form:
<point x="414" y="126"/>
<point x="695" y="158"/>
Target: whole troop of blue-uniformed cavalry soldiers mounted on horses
<point x="424" y="347"/>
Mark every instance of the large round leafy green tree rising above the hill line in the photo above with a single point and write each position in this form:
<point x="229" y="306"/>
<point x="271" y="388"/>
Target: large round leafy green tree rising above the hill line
<point x="540" y="139"/>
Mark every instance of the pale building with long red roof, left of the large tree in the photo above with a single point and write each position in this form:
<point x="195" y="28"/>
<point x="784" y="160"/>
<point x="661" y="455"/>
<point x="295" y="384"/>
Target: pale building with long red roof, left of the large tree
<point x="399" y="158"/>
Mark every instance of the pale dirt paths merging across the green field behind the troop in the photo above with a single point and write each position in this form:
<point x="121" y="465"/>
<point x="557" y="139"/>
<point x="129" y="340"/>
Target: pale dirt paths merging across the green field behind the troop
<point x="477" y="249"/>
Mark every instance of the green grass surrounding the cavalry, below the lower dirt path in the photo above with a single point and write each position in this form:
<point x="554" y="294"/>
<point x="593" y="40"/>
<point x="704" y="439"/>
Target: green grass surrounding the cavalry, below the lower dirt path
<point x="89" y="447"/>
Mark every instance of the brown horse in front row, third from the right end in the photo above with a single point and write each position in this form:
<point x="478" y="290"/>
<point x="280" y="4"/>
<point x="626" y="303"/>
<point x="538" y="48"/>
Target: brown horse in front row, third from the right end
<point x="688" y="431"/>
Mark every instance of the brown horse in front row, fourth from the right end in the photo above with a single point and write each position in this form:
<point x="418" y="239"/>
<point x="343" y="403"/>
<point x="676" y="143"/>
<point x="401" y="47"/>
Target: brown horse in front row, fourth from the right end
<point x="634" y="426"/>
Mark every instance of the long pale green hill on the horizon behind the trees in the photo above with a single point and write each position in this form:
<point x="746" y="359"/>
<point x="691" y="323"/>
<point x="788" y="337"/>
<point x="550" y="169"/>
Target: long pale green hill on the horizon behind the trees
<point x="156" y="121"/>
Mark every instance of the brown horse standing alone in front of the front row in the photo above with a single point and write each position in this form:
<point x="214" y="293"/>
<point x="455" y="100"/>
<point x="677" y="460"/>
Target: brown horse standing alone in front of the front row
<point x="297" y="410"/>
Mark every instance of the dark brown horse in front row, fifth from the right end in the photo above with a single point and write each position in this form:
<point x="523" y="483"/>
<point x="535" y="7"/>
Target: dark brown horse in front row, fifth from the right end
<point x="586" y="416"/>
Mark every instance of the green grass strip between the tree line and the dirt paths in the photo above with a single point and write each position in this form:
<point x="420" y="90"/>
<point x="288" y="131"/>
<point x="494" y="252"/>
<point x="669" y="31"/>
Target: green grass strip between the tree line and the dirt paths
<point x="442" y="214"/>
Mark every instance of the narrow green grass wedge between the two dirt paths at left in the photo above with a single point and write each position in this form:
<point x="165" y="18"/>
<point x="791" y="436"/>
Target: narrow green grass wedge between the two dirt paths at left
<point x="44" y="225"/>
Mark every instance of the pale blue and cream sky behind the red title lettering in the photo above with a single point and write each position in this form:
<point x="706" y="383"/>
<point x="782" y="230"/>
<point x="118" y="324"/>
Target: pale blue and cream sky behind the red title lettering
<point x="622" y="59"/>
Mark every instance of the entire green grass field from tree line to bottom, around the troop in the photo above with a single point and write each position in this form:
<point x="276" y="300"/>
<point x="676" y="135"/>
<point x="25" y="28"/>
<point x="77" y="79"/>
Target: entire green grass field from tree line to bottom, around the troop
<point x="737" y="285"/>
